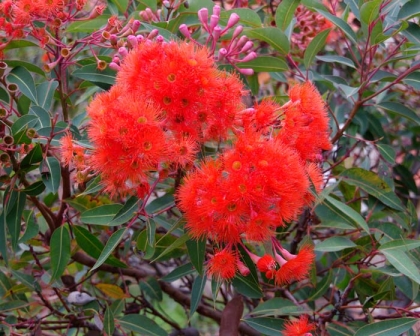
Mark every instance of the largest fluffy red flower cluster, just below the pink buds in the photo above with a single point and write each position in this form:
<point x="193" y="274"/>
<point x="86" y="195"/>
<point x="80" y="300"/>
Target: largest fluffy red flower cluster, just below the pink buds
<point x="168" y="99"/>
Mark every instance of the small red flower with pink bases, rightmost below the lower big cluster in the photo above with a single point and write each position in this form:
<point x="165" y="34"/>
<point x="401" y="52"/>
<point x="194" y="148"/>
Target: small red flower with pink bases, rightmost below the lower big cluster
<point x="295" y="267"/>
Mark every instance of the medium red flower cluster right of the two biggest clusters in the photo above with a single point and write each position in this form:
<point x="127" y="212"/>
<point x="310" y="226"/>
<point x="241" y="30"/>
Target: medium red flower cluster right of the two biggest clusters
<point x="305" y="124"/>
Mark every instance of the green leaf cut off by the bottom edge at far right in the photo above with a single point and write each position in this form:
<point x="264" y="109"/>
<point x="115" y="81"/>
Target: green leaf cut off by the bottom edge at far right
<point x="389" y="327"/>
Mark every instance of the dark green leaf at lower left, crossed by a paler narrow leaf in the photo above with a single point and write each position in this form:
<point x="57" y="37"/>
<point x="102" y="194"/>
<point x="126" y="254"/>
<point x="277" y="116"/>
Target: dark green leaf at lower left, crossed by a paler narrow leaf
<point x="93" y="246"/>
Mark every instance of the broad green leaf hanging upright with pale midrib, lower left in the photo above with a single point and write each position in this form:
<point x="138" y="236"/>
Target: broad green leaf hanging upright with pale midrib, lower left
<point x="59" y="251"/>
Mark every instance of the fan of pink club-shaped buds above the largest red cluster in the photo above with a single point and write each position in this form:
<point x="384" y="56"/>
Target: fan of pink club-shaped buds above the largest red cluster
<point x="238" y="44"/>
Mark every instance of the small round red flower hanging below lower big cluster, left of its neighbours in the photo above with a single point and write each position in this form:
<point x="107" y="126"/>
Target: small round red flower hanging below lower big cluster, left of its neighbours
<point x="223" y="265"/>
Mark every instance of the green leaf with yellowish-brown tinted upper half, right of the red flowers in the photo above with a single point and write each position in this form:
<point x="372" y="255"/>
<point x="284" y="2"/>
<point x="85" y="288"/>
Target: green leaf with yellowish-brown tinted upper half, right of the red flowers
<point x="373" y="185"/>
